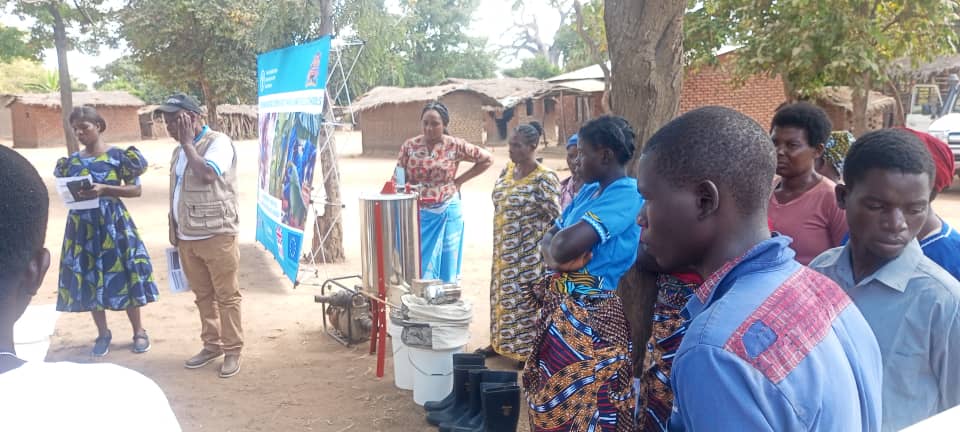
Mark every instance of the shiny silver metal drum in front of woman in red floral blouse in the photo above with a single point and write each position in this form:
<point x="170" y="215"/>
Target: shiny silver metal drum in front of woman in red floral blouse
<point x="390" y="228"/>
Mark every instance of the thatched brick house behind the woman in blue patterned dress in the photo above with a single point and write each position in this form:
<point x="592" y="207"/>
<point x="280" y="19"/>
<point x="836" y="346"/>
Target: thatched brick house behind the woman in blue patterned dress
<point x="37" y="122"/>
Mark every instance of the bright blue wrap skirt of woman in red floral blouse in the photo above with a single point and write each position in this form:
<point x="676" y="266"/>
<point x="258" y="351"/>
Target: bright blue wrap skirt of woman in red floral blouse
<point x="441" y="240"/>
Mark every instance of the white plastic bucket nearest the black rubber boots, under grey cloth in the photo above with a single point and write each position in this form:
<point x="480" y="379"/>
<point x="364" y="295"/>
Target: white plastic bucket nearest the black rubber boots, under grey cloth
<point x="433" y="373"/>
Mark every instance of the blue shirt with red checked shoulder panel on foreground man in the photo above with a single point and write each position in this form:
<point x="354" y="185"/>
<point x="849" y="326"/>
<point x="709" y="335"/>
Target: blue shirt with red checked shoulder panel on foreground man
<point x="772" y="345"/>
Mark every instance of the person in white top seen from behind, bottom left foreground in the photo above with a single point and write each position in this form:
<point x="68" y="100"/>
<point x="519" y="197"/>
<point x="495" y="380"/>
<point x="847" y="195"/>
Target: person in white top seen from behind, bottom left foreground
<point x="40" y="396"/>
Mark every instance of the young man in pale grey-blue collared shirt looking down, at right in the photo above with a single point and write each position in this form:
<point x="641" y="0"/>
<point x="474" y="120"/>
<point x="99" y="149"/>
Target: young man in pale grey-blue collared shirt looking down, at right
<point x="911" y="303"/>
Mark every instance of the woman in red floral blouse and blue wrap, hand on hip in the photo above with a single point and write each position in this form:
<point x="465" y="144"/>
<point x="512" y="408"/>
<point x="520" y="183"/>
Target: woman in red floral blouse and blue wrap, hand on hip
<point x="431" y="161"/>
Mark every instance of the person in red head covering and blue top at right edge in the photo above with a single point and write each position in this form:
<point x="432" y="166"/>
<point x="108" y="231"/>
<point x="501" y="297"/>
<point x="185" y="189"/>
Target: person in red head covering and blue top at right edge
<point x="939" y="241"/>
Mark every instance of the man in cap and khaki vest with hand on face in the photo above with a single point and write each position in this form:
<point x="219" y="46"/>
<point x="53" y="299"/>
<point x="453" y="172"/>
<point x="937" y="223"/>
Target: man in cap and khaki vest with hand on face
<point x="204" y="225"/>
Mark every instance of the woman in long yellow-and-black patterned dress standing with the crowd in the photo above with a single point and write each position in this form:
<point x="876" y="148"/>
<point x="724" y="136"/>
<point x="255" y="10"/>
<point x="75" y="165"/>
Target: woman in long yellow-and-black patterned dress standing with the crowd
<point x="526" y="202"/>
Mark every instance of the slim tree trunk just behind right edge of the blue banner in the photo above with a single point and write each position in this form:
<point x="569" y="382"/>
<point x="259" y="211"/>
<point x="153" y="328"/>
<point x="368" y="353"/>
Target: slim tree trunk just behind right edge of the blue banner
<point x="327" y="244"/>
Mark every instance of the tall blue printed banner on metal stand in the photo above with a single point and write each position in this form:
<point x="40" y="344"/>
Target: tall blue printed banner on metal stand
<point x="291" y="85"/>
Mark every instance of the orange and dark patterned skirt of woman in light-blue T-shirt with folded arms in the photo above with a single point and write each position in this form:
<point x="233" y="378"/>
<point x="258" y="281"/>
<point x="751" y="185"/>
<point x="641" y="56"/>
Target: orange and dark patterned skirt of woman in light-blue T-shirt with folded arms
<point x="579" y="376"/>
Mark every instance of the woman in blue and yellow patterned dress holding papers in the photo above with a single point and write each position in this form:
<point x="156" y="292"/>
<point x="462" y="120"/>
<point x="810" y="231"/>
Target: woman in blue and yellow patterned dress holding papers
<point x="104" y="264"/>
